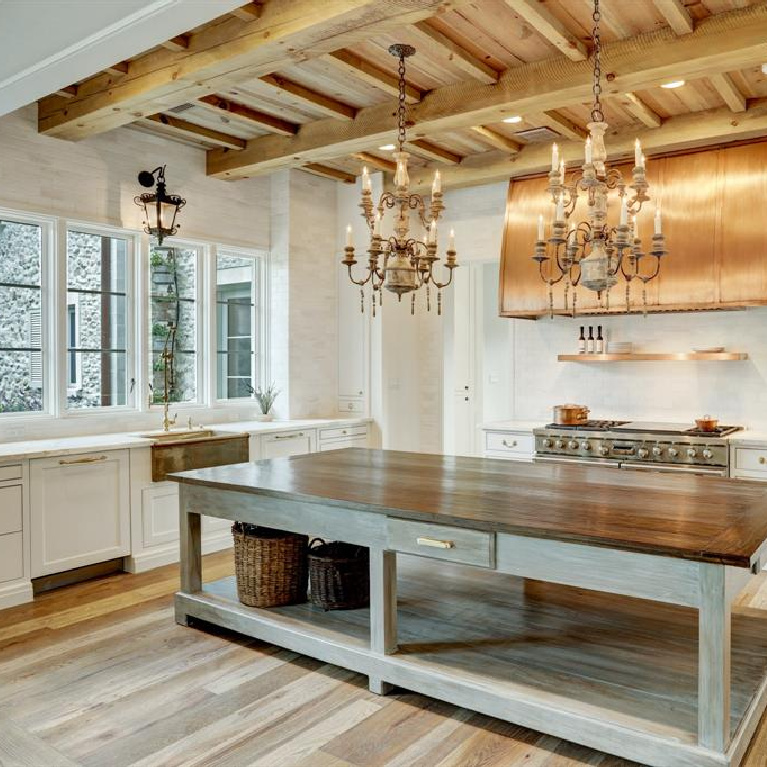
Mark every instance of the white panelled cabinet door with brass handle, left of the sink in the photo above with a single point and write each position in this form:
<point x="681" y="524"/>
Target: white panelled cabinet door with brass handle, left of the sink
<point x="80" y="510"/>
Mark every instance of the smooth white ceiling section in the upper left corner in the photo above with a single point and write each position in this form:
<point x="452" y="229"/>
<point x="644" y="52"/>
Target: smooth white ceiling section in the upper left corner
<point x="49" y="44"/>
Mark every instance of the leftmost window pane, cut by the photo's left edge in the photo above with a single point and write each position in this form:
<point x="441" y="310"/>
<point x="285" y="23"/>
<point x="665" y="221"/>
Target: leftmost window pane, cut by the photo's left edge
<point x="21" y="312"/>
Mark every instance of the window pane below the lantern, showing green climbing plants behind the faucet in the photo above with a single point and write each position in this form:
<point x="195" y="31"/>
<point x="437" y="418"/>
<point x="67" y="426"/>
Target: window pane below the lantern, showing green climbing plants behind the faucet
<point x="173" y="297"/>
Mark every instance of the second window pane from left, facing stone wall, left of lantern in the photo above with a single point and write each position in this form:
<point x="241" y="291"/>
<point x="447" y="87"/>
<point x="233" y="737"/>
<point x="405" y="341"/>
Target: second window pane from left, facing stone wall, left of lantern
<point x="97" y="320"/>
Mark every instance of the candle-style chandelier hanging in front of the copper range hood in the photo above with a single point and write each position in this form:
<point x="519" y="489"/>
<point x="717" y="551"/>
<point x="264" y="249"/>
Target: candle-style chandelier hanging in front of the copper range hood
<point x="592" y="253"/>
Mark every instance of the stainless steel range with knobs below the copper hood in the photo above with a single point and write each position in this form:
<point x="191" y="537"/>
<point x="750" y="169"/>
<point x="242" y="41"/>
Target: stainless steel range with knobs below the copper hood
<point x="637" y="445"/>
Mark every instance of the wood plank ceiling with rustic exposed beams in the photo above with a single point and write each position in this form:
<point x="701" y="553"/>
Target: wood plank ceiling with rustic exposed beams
<point x="301" y="83"/>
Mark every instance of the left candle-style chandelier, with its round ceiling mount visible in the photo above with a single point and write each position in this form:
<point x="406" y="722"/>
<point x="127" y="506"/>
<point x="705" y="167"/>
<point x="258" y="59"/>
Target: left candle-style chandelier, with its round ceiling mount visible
<point x="401" y="263"/>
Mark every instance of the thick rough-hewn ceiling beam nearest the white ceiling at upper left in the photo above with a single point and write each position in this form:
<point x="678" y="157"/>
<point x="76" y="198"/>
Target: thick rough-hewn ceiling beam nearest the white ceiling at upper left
<point x="225" y="52"/>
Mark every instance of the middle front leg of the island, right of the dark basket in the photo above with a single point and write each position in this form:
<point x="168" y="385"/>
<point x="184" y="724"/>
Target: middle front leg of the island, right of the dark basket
<point x="383" y="610"/>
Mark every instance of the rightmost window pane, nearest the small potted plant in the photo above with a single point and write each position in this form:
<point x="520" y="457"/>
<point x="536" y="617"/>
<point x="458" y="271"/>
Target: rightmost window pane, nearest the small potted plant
<point x="238" y="359"/>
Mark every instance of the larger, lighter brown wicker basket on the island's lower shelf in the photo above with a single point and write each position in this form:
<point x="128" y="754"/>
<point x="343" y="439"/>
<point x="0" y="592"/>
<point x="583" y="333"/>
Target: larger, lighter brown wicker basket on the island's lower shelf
<point x="271" y="565"/>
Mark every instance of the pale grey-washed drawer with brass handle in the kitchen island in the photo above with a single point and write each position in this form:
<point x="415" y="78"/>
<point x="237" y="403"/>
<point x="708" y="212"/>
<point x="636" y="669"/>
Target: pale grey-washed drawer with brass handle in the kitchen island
<point x="454" y="544"/>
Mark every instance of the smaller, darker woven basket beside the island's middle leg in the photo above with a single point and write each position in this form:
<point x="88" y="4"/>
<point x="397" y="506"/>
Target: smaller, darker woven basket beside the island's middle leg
<point x="339" y="575"/>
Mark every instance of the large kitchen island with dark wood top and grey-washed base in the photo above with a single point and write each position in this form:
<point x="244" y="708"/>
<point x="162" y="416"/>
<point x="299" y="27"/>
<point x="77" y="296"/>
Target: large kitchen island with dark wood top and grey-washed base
<point x="666" y="670"/>
